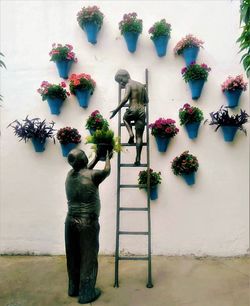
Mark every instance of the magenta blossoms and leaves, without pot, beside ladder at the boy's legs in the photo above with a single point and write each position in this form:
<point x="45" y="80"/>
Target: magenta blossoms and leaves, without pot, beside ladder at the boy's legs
<point x="164" y="127"/>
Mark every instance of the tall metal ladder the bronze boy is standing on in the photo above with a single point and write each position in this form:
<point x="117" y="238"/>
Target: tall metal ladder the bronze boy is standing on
<point x="121" y="209"/>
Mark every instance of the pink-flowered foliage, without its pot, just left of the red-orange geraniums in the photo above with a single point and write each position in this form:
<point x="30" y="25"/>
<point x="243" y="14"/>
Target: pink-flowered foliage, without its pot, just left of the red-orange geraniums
<point x="53" y="91"/>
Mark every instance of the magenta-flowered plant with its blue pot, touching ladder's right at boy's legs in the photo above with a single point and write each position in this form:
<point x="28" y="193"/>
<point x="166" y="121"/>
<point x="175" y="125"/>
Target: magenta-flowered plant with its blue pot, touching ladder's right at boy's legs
<point x="163" y="130"/>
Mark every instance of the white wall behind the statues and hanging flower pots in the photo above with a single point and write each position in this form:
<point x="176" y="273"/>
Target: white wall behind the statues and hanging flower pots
<point x="212" y="217"/>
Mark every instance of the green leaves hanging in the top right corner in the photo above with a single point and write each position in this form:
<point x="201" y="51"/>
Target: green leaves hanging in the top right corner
<point x="244" y="39"/>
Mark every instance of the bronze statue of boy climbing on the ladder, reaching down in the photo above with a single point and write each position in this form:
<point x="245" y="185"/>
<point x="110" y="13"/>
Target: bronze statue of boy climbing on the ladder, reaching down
<point x="137" y="96"/>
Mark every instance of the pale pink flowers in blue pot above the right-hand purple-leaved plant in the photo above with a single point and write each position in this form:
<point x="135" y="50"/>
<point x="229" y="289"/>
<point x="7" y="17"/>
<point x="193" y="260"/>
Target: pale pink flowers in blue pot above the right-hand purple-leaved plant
<point x="232" y="88"/>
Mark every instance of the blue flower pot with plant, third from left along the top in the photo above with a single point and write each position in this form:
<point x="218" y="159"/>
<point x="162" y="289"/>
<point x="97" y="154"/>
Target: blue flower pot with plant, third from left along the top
<point x="160" y="34"/>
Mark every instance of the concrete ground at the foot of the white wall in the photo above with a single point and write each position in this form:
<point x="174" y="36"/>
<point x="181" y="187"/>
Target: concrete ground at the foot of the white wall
<point x="178" y="281"/>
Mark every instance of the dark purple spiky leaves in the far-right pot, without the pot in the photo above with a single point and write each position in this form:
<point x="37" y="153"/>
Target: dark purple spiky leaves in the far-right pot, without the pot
<point x="223" y="118"/>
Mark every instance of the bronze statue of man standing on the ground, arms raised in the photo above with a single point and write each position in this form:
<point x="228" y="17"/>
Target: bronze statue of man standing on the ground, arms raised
<point x="82" y="226"/>
